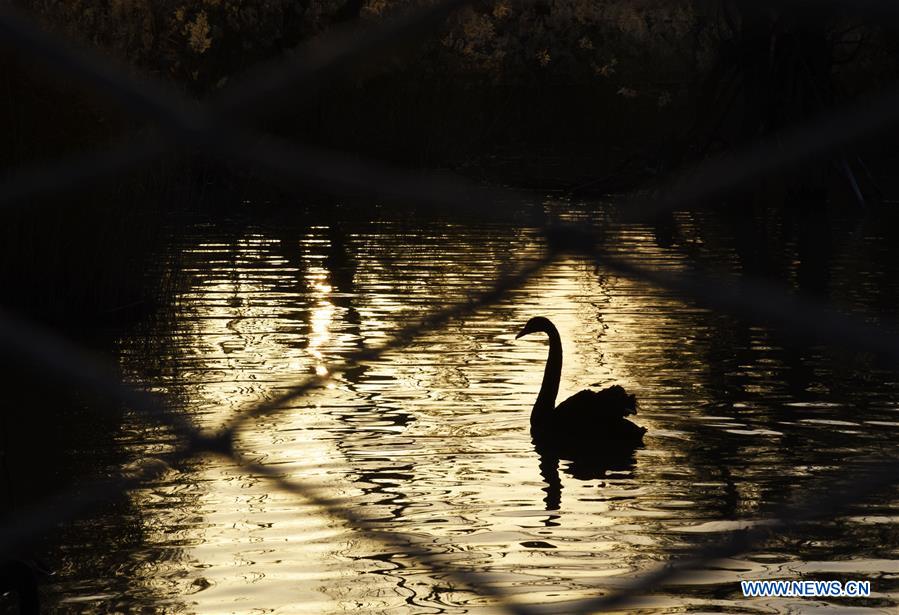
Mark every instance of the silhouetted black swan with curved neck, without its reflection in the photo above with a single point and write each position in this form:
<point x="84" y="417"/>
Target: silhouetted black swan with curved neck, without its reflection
<point x="595" y="418"/>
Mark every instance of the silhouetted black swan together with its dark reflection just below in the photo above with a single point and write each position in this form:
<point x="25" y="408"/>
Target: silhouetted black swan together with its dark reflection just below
<point x="589" y="429"/>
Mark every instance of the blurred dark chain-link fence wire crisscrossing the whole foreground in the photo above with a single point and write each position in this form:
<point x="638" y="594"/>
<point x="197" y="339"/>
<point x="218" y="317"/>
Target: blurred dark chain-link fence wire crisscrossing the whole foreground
<point x="214" y="129"/>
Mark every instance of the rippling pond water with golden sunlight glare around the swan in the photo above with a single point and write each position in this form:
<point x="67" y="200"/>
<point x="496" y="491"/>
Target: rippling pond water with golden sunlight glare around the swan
<point x="433" y="440"/>
